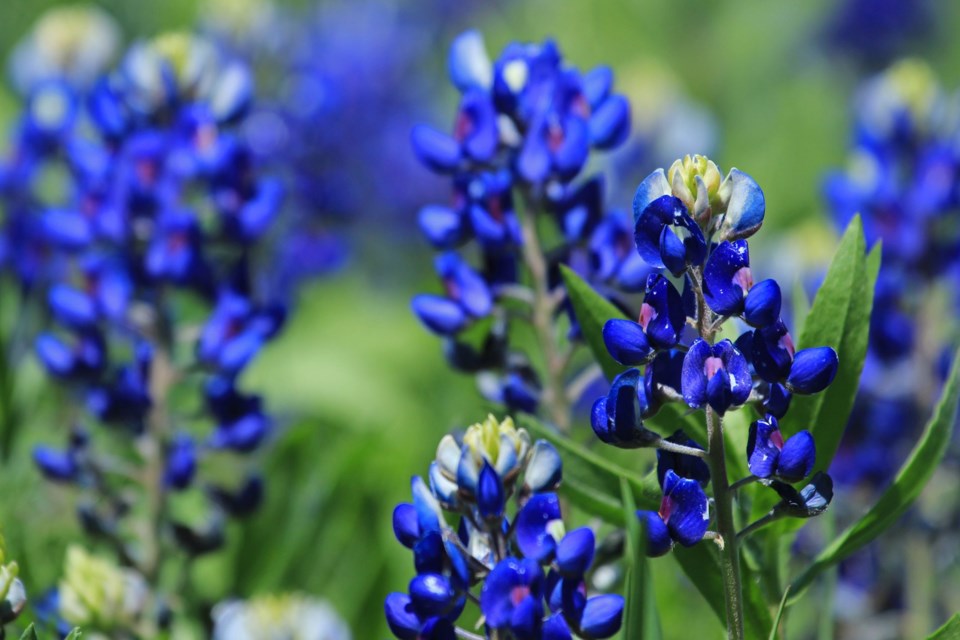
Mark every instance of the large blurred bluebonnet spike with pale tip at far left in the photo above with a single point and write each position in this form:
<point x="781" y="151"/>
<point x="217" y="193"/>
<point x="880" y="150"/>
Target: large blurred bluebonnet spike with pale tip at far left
<point x="146" y="266"/>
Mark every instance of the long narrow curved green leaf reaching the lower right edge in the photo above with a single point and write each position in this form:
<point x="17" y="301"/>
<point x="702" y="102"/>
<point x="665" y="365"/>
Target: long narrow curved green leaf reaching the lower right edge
<point x="908" y="484"/>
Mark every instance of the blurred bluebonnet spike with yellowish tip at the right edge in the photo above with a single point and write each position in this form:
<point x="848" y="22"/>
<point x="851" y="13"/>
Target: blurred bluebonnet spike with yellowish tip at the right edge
<point x="902" y="178"/>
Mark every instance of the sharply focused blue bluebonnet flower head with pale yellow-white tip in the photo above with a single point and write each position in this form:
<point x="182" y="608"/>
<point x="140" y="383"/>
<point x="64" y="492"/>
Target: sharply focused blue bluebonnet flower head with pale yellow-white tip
<point x="693" y="224"/>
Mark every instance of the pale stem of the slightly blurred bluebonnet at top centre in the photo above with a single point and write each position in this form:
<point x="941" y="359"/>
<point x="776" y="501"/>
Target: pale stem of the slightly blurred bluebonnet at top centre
<point x="544" y="304"/>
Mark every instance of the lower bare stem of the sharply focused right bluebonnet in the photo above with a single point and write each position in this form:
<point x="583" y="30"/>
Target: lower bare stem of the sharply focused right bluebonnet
<point x="730" y="552"/>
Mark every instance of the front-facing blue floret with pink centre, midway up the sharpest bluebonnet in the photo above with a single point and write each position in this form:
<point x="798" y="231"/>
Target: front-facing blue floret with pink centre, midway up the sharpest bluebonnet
<point x="717" y="375"/>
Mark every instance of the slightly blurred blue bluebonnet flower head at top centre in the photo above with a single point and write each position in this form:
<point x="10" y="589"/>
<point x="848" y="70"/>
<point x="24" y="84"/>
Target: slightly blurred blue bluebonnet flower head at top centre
<point x="526" y="125"/>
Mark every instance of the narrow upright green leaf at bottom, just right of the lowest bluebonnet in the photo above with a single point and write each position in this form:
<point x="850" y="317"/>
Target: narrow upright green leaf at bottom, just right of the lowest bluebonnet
<point x="640" y="612"/>
